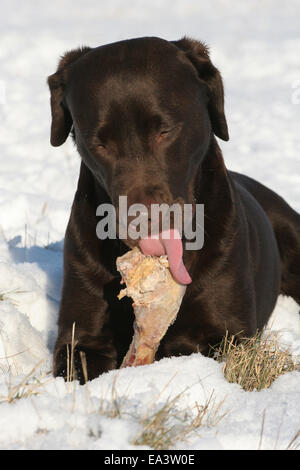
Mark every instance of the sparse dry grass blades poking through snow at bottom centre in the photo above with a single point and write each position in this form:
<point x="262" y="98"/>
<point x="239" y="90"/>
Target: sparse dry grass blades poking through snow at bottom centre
<point x="161" y="426"/>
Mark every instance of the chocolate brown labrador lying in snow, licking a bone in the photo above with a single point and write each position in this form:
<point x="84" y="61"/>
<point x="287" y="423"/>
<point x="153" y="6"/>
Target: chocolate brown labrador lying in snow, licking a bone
<point x="144" y="114"/>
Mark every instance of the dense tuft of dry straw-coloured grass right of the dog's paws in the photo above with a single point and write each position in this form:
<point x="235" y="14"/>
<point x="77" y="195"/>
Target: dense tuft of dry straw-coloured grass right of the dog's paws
<point x="254" y="363"/>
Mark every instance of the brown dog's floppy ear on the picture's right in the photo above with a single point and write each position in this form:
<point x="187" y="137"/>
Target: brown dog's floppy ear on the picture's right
<point x="197" y="52"/>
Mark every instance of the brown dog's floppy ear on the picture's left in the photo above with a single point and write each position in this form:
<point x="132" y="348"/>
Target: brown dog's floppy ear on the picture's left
<point x="61" y="116"/>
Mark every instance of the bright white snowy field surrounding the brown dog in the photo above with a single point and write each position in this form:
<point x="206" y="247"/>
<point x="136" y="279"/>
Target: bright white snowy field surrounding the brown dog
<point x="256" y="45"/>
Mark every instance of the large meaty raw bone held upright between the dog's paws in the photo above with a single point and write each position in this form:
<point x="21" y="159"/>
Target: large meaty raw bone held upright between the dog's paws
<point x="157" y="298"/>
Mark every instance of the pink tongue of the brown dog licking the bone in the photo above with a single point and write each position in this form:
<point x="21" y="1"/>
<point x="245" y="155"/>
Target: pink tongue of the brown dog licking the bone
<point x="169" y="243"/>
